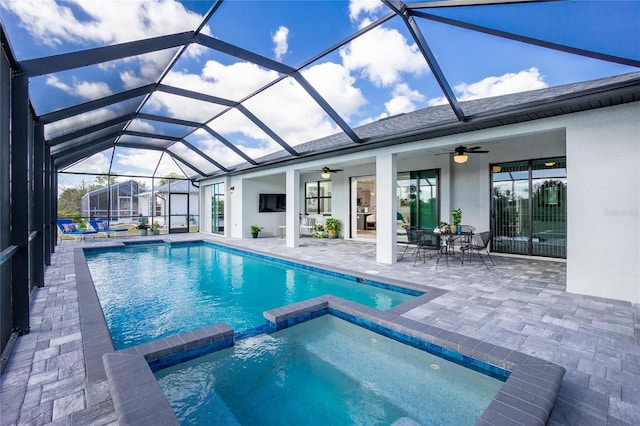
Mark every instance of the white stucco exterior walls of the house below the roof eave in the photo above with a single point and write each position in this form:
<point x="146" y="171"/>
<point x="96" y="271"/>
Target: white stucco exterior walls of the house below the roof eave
<point x="603" y="171"/>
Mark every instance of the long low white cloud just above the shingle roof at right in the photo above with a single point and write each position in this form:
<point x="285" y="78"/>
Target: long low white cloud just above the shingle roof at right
<point x="505" y="84"/>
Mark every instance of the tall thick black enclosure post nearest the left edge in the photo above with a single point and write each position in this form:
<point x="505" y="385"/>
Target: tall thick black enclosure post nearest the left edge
<point x="20" y="201"/>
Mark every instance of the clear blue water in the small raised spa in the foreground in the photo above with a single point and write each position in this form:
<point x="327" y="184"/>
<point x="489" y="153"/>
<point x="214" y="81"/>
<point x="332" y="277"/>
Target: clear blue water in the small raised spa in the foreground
<point x="325" y="371"/>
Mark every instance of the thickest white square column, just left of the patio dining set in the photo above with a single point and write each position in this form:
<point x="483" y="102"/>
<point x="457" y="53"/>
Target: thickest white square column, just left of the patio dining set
<point x="386" y="238"/>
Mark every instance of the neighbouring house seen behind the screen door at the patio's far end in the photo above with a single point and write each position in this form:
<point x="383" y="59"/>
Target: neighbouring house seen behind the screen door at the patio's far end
<point x="174" y="205"/>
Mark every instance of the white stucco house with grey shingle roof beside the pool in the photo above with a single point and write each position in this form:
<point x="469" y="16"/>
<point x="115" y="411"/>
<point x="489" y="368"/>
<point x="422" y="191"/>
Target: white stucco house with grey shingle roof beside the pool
<point x="560" y="180"/>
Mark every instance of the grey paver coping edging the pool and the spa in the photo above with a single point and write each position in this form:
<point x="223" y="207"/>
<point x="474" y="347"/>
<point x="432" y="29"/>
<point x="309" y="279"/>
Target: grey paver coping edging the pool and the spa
<point x="526" y="398"/>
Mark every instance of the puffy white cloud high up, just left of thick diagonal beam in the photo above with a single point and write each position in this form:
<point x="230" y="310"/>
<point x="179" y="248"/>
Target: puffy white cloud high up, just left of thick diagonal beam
<point x="382" y="55"/>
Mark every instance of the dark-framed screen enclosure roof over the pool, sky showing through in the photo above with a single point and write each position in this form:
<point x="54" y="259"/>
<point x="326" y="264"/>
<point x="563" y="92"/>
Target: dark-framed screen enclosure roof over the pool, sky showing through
<point x="142" y="87"/>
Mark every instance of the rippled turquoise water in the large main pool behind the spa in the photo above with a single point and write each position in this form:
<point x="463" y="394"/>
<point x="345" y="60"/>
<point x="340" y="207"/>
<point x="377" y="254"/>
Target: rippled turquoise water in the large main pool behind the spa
<point x="156" y="291"/>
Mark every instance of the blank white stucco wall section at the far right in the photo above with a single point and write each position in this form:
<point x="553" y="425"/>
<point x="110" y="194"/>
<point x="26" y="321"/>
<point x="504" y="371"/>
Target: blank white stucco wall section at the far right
<point x="603" y="162"/>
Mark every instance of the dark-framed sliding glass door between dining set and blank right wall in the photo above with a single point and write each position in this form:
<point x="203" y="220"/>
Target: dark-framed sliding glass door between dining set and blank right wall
<point x="529" y="209"/>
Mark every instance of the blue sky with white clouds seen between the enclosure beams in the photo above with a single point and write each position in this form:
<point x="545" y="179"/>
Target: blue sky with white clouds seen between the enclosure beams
<point x="379" y="74"/>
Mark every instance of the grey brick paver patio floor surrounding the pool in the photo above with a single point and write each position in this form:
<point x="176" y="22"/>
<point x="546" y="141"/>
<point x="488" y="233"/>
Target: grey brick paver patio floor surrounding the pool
<point x="520" y="304"/>
